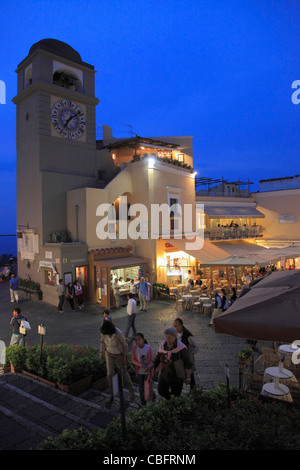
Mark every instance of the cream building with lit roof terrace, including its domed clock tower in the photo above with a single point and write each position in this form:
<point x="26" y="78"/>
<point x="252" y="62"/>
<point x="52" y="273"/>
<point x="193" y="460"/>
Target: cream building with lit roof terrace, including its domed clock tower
<point x="65" y="178"/>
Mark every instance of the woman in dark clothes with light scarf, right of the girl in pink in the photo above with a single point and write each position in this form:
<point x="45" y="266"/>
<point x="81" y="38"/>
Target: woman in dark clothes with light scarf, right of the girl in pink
<point x="175" y="365"/>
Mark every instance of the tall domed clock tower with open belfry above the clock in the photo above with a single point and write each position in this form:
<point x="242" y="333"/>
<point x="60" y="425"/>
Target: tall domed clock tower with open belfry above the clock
<point x="56" y="141"/>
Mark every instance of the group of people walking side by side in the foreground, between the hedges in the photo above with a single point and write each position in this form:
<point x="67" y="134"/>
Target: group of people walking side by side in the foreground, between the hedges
<point x="174" y="360"/>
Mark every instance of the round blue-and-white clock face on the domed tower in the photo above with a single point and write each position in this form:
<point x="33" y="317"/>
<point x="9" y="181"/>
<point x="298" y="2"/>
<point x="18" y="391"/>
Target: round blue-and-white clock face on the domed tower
<point x="68" y="119"/>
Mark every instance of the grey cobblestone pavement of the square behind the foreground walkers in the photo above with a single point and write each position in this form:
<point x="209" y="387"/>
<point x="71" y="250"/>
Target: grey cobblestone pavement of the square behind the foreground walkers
<point x="83" y="327"/>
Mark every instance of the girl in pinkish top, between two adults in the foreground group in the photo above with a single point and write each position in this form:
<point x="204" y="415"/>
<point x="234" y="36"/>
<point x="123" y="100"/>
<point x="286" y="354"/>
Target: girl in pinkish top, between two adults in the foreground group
<point x="142" y="357"/>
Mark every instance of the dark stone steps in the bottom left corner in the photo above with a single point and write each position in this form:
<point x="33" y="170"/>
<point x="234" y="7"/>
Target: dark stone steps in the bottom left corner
<point x="30" y="411"/>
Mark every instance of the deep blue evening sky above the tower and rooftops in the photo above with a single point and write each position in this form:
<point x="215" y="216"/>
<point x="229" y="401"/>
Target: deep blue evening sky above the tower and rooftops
<point x="221" y="71"/>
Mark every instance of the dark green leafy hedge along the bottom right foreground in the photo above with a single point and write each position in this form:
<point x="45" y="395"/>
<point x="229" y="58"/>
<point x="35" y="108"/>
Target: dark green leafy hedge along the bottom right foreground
<point x="200" y="421"/>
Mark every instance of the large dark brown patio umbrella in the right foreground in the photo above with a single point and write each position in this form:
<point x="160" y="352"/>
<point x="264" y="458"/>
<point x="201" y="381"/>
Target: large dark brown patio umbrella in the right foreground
<point x="270" y="311"/>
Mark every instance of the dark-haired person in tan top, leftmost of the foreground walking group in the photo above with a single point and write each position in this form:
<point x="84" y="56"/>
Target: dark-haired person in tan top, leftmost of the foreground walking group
<point x="114" y="346"/>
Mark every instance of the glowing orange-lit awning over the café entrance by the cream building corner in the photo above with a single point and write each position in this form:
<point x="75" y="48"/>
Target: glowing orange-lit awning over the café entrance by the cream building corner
<point x="208" y="252"/>
